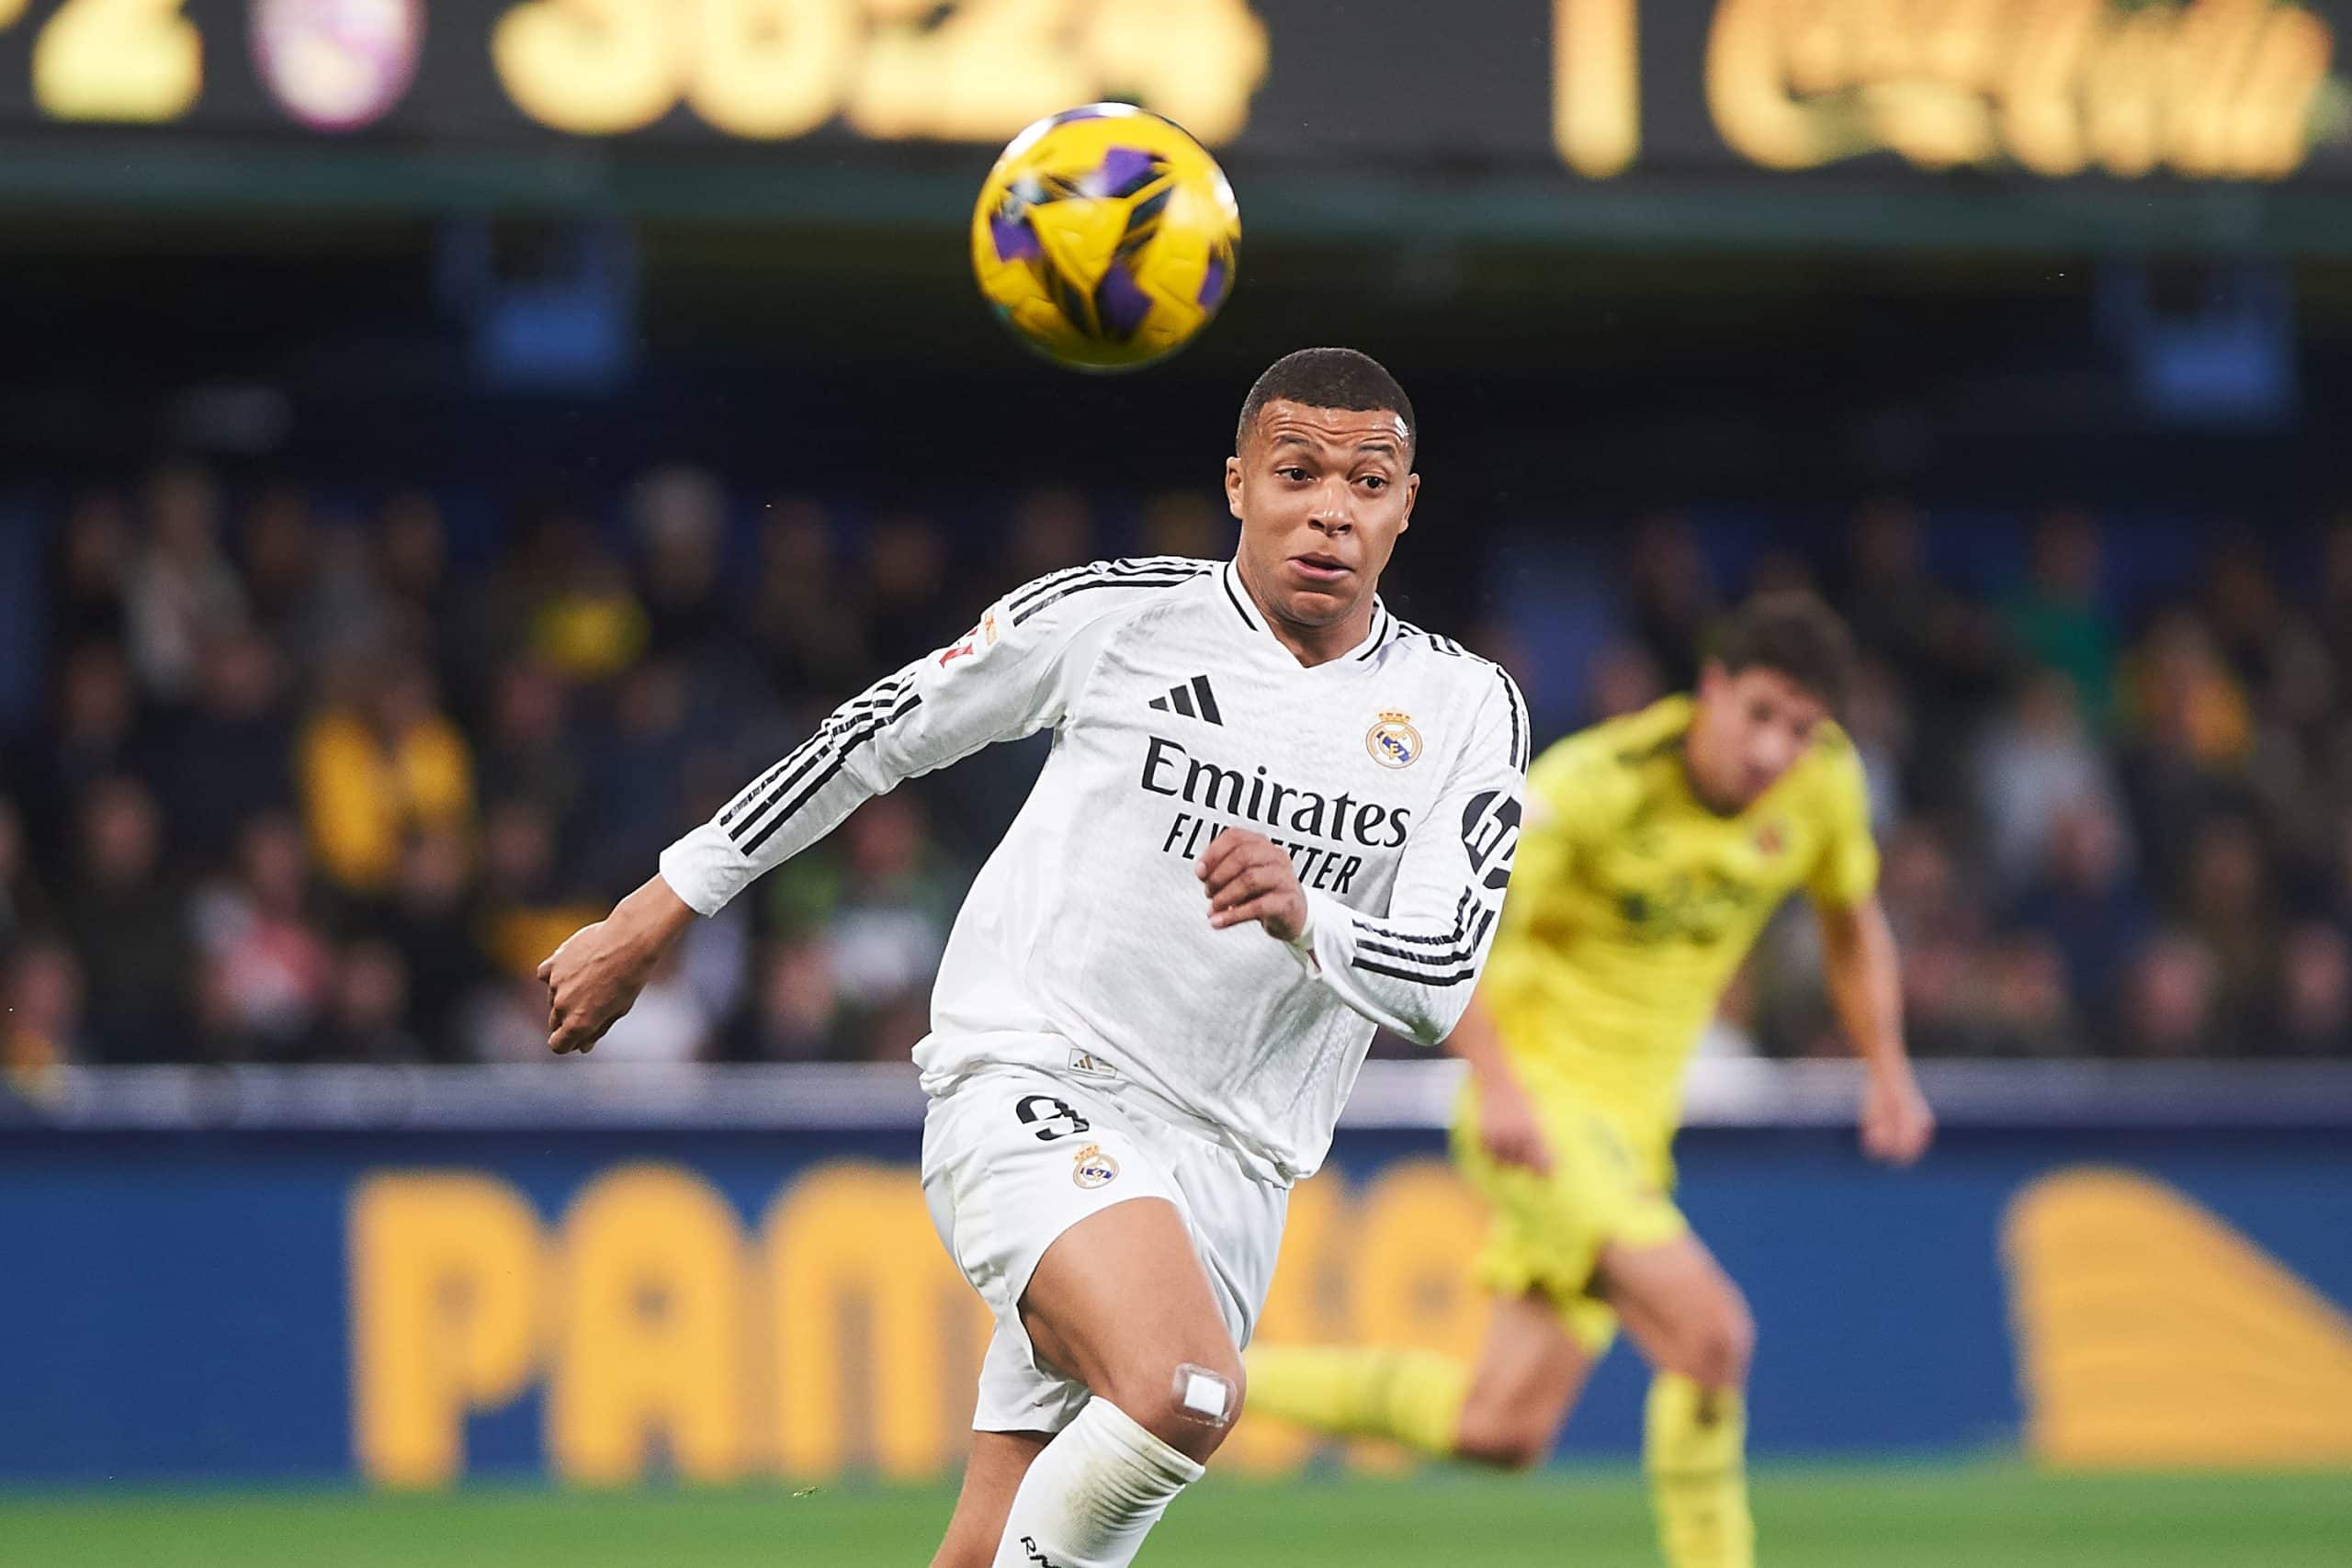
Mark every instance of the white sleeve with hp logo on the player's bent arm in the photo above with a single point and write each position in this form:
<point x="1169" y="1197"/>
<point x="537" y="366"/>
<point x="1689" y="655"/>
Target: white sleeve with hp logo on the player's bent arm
<point x="1415" y="965"/>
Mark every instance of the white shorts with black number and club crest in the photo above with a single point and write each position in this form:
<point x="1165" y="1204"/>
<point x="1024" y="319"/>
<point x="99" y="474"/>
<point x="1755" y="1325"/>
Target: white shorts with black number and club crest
<point x="1015" y="1155"/>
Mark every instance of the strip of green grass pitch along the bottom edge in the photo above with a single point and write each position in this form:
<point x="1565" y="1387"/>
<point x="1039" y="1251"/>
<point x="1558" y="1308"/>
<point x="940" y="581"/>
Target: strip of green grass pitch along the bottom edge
<point x="1866" y="1517"/>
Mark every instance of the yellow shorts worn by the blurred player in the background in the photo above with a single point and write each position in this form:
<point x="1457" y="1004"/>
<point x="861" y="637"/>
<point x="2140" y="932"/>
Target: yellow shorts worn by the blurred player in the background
<point x="1549" y="1231"/>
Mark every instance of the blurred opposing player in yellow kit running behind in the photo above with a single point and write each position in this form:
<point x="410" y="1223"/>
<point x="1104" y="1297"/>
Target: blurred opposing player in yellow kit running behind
<point x="1652" y="855"/>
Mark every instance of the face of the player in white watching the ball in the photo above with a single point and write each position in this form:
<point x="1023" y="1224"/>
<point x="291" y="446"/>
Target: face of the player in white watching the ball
<point x="1323" y="497"/>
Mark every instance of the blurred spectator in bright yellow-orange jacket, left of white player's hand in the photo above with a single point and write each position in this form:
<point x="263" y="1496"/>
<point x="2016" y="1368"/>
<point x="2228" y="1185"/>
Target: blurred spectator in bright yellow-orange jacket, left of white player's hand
<point x="380" y="760"/>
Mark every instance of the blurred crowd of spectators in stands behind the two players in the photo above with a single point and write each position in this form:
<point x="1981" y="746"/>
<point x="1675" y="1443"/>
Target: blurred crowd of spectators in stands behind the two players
<point x="326" y="782"/>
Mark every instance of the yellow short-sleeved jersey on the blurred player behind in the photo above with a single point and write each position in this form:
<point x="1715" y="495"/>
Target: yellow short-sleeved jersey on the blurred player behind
<point x="1633" y="904"/>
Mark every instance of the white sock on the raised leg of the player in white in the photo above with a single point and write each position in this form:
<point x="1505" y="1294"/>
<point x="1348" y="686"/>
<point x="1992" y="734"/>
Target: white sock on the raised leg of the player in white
<point x="1095" y="1494"/>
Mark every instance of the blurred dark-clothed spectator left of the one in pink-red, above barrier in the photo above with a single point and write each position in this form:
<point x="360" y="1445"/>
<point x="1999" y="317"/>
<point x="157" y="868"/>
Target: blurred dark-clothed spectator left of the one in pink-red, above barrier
<point x="131" y="927"/>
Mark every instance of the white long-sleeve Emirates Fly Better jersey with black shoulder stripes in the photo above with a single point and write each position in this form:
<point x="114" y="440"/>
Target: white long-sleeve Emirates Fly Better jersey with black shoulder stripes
<point x="1391" y="777"/>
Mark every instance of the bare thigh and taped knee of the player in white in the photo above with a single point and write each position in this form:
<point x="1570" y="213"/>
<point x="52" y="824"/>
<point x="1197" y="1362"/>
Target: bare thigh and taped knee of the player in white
<point x="1123" y="1304"/>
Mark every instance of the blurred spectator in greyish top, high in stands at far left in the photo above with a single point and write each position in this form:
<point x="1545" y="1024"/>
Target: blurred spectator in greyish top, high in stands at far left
<point x="180" y="591"/>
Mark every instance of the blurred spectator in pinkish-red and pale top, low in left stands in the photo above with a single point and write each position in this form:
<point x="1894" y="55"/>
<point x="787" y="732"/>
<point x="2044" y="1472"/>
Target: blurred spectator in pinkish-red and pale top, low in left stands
<point x="269" y="965"/>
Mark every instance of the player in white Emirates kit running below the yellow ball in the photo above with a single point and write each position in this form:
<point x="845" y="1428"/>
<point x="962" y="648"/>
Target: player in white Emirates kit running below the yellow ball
<point x="1274" y="817"/>
